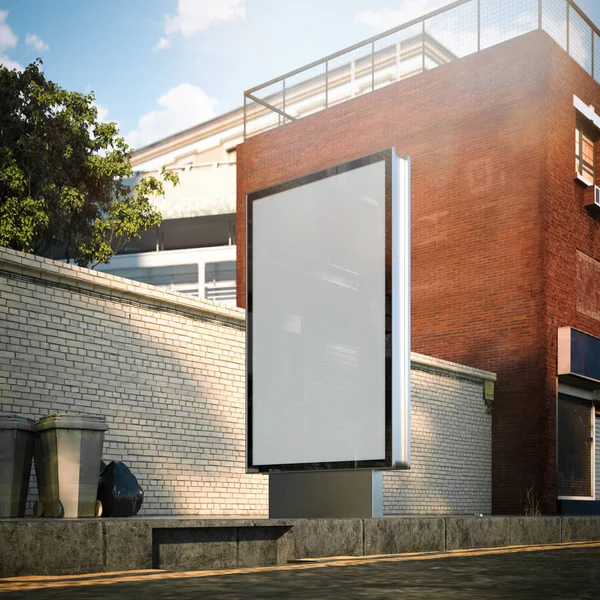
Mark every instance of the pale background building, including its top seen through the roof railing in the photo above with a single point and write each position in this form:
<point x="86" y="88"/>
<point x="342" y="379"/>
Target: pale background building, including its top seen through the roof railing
<point x="193" y="250"/>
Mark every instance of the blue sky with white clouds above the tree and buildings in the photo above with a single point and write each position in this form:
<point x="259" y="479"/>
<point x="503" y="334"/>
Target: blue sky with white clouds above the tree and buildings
<point x="159" y="66"/>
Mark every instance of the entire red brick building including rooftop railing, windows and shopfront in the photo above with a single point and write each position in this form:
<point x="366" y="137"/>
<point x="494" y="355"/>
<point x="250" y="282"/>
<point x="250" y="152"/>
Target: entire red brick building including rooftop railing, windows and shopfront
<point x="505" y="237"/>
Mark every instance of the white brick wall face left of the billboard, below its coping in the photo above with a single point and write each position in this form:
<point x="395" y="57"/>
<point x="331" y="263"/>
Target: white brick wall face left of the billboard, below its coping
<point x="171" y="386"/>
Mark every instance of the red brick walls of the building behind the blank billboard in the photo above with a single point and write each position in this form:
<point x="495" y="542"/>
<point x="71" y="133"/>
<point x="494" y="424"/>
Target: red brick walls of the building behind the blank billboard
<point x="503" y="250"/>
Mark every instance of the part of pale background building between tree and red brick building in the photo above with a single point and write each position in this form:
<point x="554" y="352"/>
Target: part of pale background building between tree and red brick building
<point x="193" y="250"/>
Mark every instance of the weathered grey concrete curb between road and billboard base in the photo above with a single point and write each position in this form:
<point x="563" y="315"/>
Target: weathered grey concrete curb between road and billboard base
<point x="77" y="546"/>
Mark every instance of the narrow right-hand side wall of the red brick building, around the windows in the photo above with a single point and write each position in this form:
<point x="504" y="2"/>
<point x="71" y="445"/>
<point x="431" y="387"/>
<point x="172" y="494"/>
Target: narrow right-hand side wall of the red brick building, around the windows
<point x="571" y="236"/>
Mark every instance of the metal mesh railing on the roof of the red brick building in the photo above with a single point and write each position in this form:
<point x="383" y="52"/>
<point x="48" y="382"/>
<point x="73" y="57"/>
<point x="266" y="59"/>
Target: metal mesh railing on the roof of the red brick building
<point x="452" y="32"/>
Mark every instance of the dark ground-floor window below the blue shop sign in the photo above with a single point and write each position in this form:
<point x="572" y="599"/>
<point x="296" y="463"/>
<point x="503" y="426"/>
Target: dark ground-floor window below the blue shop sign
<point x="575" y="437"/>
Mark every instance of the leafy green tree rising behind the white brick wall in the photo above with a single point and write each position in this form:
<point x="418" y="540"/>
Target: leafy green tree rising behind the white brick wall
<point x="62" y="174"/>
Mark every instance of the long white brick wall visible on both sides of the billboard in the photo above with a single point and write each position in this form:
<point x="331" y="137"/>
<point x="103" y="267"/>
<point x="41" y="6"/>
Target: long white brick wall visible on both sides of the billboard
<point x="168" y="373"/>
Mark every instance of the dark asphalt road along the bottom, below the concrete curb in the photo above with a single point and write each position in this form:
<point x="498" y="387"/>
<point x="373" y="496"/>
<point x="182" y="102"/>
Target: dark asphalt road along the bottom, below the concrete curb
<point x="568" y="573"/>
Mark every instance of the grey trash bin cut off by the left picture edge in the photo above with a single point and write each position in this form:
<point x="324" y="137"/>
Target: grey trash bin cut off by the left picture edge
<point x="16" y="449"/>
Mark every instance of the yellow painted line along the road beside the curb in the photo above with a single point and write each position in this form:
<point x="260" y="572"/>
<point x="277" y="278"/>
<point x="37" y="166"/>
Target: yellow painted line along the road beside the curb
<point x="37" y="583"/>
